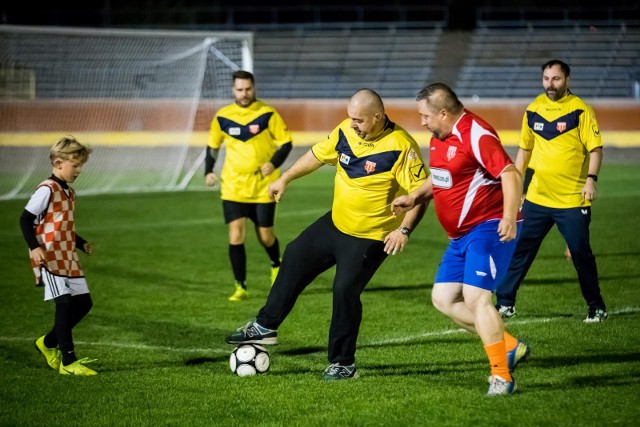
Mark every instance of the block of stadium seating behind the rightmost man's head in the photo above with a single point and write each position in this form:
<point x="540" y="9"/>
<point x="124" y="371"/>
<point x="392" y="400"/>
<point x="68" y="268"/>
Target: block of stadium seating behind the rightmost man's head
<point x="505" y="62"/>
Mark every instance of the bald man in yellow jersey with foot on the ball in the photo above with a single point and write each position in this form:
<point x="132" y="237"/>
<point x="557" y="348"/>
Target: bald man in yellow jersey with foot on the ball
<point x="376" y="161"/>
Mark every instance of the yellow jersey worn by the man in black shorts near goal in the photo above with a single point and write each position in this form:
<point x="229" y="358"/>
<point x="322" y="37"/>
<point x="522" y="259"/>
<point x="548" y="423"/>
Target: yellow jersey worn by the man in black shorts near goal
<point x="251" y="136"/>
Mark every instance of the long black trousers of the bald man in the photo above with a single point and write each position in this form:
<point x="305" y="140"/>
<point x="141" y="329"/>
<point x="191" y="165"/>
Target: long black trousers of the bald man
<point x="315" y="250"/>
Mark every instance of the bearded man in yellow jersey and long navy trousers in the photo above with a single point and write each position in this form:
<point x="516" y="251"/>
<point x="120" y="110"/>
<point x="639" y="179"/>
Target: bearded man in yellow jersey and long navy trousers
<point x="561" y="132"/>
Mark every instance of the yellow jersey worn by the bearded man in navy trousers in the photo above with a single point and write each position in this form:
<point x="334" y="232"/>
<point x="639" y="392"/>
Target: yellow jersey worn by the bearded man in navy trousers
<point x="560" y="134"/>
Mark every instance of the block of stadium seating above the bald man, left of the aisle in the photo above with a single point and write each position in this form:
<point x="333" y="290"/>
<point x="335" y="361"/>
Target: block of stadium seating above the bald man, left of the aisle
<point x="333" y="63"/>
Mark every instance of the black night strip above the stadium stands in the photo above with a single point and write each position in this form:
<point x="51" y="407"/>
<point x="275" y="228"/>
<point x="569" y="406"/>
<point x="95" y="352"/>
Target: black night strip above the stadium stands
<point x="228" y="15"/>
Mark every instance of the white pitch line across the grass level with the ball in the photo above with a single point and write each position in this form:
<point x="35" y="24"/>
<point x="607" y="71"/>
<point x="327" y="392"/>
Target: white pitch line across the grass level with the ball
<point x="399" y="340"/>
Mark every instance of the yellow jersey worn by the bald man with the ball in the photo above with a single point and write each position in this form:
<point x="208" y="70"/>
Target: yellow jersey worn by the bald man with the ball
<point x="369" y="175"/>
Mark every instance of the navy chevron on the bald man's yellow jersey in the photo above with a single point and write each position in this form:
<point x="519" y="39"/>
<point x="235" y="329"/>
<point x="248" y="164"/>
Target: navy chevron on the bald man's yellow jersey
<point x="358" y="167"/>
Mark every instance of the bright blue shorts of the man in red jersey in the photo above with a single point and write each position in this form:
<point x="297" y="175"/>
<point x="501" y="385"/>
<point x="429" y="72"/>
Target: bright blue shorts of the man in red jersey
<point x="478" y="258"/>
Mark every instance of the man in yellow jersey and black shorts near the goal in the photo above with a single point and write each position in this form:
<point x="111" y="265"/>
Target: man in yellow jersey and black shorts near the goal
<point x="257" y="142"/>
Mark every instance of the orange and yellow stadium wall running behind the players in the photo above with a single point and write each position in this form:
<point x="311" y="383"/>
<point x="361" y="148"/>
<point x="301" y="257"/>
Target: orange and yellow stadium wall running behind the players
<point x="157" y="122"/>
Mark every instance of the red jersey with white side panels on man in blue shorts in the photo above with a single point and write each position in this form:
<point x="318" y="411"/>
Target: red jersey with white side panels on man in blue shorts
<point x="465" y="170"/>
